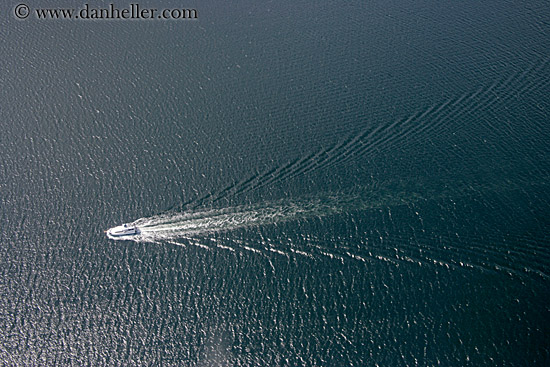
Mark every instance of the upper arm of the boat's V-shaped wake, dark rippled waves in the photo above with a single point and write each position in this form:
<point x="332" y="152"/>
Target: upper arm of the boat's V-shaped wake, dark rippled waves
<point x="419" y="127"/>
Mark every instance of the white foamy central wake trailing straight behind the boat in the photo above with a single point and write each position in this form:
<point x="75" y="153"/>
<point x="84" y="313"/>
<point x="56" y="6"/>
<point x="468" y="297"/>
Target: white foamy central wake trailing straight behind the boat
<point x="186" y="225"/>
